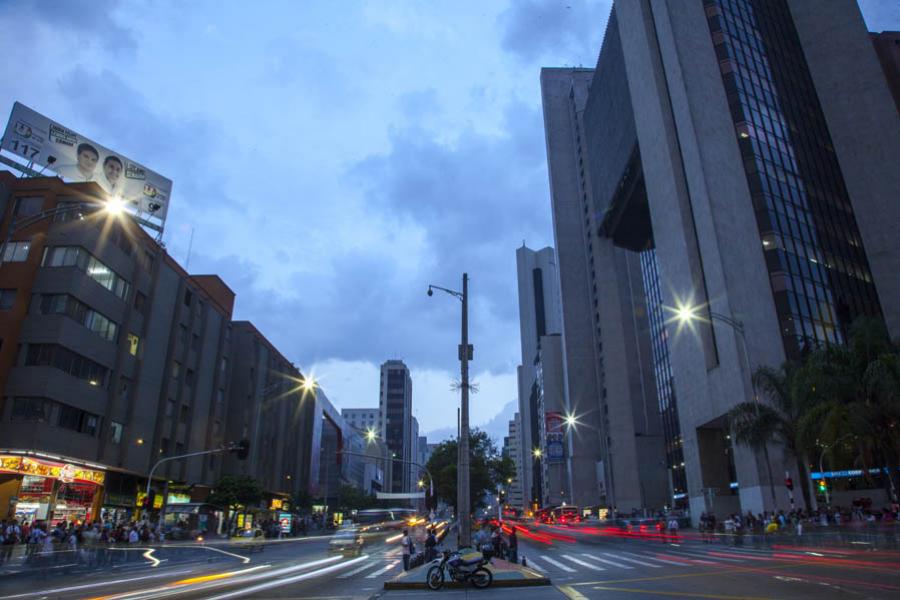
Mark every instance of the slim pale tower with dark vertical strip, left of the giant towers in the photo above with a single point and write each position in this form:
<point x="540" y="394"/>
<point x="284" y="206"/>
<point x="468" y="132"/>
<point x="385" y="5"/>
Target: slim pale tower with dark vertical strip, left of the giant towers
<point x="539" y="314"/>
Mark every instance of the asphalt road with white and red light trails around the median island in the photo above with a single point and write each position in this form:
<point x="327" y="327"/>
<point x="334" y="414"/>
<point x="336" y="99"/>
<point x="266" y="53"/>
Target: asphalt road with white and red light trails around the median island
<point x="582" y="562"/>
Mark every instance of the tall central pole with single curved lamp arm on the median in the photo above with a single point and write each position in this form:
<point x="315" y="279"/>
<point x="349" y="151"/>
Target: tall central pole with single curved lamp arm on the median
<point x="465" y="355"/>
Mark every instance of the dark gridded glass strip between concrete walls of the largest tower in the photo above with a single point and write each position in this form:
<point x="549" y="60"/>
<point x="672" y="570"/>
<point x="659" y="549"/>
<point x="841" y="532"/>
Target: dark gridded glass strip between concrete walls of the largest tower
<point x="818" y="269"/>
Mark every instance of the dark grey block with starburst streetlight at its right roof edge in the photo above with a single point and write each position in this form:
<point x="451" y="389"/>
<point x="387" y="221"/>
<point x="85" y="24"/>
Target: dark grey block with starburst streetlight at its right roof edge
<point x="270" y="410"/>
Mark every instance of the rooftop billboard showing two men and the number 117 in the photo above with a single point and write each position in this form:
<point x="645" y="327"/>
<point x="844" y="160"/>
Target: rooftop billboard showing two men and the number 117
<point x="74" y="157"/>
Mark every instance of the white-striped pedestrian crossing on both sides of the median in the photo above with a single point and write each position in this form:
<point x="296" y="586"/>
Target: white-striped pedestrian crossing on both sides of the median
<point x="570" y="562"/>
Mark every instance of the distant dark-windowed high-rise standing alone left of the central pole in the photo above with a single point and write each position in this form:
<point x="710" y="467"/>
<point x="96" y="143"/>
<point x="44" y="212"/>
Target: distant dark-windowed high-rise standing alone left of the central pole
<point x="395" y="407"/>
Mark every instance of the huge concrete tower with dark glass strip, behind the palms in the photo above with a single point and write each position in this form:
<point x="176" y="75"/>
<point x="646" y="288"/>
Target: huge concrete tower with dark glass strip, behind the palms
<point x="745" y="143"/>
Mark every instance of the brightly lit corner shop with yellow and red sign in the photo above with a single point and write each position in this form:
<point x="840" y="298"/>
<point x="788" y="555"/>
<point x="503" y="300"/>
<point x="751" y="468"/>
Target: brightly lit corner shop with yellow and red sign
<point x="46" y="490"/>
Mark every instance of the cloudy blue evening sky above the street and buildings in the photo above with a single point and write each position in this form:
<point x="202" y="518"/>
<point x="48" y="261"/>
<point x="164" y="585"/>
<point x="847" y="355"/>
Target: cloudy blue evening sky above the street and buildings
<point x="332" y="159"/>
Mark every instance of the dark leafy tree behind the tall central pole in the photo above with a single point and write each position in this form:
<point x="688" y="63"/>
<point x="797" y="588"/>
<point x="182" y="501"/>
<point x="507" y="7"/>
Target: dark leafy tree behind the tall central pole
<point x="487" y="469"/>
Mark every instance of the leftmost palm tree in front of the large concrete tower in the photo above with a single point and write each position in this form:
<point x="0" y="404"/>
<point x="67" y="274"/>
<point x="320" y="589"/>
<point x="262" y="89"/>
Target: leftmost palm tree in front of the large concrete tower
<point x="757" y="424"/>
